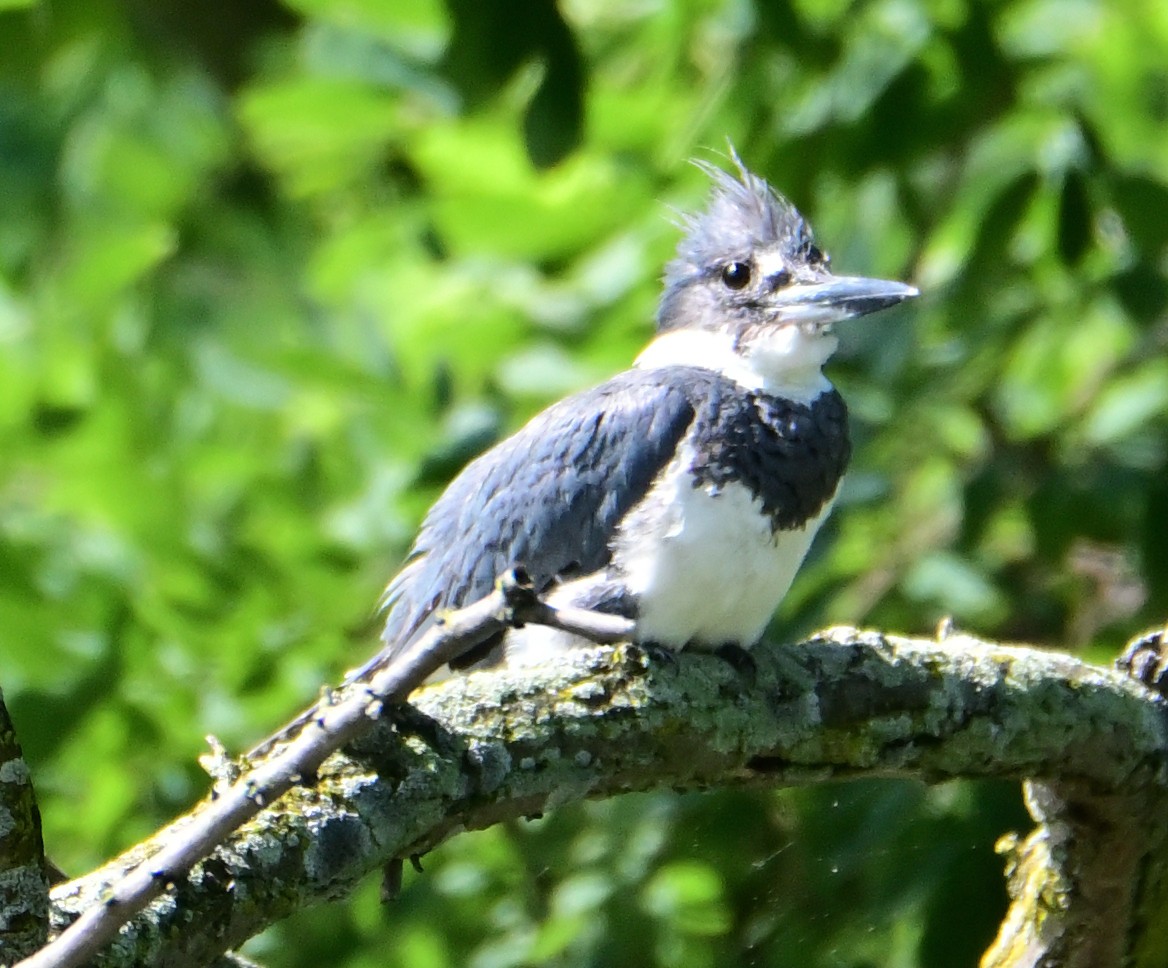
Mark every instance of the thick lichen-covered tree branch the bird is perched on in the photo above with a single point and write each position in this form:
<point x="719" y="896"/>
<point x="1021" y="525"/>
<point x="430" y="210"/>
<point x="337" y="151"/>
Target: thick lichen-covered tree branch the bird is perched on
<point x="599" y="722"/>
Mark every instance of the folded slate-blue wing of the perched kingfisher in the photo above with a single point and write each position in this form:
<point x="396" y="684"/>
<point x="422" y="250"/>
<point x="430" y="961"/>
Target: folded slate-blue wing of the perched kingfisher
<point x="547" y="499"/>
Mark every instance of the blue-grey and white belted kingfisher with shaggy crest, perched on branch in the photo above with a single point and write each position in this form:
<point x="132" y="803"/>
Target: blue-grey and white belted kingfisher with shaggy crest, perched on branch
<point x="684" y="493"/>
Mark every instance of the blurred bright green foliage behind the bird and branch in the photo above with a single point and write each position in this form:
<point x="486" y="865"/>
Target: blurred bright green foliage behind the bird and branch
<point x="270" y="275"/>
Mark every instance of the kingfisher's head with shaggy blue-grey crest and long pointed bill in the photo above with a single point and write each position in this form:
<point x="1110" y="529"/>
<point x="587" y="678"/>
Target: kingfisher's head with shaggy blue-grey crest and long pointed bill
<point x="749" y="271"/>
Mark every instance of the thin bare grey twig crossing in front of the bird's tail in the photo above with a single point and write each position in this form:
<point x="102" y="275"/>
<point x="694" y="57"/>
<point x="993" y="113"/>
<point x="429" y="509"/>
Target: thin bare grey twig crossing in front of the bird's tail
<point x="310" y="740"/>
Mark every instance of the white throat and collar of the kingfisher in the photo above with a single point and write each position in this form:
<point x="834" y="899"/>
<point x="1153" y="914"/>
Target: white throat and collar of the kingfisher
<point x="785" y="360"/>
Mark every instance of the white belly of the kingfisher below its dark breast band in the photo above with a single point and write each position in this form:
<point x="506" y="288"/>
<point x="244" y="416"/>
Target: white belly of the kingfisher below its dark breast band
<point x="706" y="566"/>
